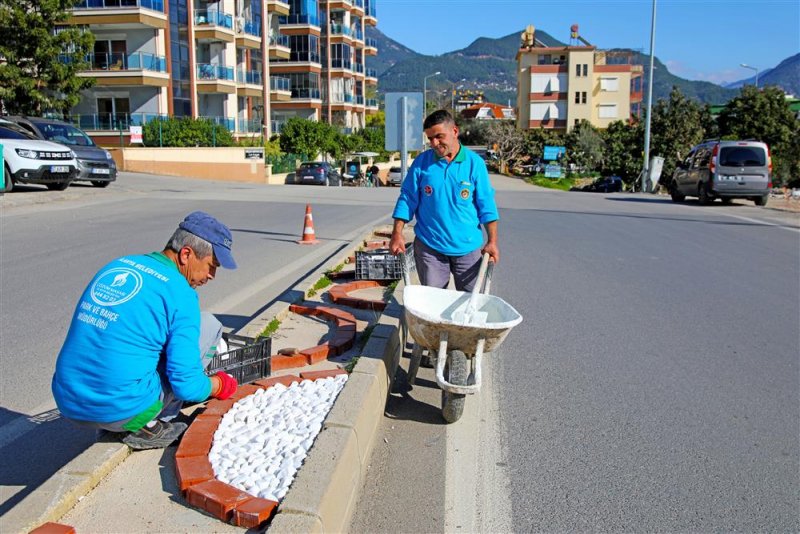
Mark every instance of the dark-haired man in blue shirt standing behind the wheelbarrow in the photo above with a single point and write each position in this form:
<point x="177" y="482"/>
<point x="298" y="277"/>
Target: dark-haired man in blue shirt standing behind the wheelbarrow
<point x="447" y="189"/>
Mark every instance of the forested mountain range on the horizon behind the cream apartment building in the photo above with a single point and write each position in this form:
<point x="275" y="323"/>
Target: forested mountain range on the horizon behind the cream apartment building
<point x="489" y="65"/>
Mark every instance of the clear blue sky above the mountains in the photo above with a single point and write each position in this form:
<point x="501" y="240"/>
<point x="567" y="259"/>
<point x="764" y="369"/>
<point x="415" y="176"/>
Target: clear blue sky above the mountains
<point x="696" y="39"/>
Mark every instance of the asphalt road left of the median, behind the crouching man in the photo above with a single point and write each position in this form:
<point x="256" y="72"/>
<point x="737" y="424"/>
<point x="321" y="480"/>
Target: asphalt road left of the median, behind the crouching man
<point x="52" y="243"/>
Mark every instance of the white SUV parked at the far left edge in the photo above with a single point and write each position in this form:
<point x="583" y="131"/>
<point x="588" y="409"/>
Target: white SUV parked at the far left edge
<point x="31" y="161"/>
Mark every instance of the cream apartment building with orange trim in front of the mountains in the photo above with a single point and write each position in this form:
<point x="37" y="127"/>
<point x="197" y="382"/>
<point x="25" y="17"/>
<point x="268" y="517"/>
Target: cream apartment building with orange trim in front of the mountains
<point x="558" y="86"/>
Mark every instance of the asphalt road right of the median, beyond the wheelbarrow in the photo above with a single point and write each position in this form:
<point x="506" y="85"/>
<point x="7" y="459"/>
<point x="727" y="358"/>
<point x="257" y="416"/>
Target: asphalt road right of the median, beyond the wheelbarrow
<point x="653" y="385"/>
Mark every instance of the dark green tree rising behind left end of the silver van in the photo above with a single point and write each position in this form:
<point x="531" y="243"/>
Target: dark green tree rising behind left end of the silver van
<point x="676" y="126"/>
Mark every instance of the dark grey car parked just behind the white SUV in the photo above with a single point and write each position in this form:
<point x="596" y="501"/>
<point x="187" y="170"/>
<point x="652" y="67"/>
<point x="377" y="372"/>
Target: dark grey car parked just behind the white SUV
<point x="95" y="164"/>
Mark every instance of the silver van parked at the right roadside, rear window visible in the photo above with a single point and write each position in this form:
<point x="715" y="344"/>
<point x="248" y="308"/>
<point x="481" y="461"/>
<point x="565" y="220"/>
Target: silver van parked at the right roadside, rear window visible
<point x="725" y="170"/>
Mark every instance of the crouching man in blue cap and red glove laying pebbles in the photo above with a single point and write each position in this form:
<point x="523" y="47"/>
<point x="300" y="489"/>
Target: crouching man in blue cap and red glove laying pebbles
<point x="133" y="351"/>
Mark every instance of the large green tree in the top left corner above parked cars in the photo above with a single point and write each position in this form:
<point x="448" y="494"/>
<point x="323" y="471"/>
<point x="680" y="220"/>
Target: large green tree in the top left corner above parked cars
<point x="40" y="58"/>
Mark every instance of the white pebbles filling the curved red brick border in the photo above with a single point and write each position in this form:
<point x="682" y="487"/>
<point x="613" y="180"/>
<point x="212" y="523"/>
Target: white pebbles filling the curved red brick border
<point x="263" y="439"/>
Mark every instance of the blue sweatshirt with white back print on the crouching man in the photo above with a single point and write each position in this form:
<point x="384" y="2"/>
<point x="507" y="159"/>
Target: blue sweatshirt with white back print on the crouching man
<point x="137" y="314"/>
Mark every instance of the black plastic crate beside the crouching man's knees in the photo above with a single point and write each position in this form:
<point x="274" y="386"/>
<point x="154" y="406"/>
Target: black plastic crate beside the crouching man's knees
<point x="247" y="359"/>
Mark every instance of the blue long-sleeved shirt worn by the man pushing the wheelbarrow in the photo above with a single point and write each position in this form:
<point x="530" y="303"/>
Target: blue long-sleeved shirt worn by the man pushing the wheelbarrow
<point x="449" y="200"/>
